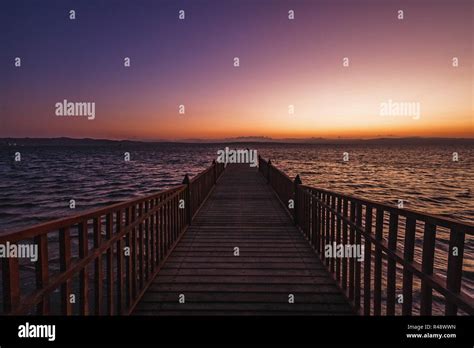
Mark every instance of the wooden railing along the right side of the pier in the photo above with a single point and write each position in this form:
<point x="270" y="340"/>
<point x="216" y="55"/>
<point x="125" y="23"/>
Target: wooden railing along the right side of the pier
<point x="404" y="265"/>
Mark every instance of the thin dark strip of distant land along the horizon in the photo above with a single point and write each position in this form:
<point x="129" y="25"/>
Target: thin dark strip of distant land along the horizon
<point x="64" y="141"/>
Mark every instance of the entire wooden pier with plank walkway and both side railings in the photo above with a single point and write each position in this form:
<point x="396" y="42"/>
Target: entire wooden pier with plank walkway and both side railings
<point x="238" y="241"/>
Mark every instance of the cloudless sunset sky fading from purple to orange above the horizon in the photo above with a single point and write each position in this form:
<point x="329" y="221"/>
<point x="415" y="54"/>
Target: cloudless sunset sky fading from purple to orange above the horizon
<point x="190" y="62"/>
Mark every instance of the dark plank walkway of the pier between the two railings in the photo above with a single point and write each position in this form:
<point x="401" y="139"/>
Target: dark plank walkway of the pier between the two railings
<point x="275" y="272"/>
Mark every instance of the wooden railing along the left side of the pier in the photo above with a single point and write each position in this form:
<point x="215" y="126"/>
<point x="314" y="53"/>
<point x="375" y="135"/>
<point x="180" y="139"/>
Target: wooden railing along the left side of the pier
<point x="101" y="261"/>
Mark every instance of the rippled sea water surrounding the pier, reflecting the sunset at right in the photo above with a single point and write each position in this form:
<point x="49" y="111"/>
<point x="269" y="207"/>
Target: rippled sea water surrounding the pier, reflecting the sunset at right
<point x="425" y="177"/>
